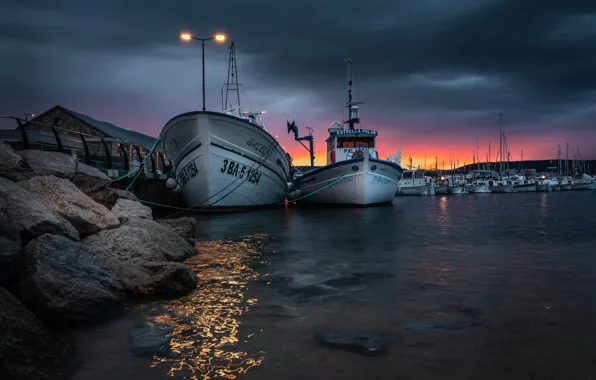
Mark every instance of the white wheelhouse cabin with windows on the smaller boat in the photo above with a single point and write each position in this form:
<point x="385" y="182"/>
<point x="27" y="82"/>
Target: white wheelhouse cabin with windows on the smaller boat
<point x="347" y="144"/>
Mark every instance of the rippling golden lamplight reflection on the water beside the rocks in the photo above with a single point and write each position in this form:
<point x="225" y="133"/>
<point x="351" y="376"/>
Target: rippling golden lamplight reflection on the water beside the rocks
<point x="206" y="322"/>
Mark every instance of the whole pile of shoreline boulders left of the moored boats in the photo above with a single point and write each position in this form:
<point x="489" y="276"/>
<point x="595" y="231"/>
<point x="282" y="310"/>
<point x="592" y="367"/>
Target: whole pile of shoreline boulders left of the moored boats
<point x="72" y="250"/>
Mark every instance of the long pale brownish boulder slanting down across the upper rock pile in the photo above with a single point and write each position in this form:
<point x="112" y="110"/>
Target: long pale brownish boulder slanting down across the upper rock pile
<point x="66" y="199"/>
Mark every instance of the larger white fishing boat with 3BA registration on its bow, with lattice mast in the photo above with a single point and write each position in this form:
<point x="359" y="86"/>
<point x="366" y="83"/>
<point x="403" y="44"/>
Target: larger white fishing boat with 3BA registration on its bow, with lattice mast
<point x="226" y="160"/>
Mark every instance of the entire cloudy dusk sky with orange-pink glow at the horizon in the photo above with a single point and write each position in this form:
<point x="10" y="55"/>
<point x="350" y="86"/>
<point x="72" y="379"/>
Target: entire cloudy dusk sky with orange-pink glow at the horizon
<point x="433" y="74"/>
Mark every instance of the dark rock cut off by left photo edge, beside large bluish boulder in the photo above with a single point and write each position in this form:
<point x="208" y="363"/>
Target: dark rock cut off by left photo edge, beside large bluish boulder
<point x="11" y="259"/>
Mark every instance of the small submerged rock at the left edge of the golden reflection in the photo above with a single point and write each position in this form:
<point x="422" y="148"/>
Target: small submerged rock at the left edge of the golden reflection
<point x="151" y="340"/>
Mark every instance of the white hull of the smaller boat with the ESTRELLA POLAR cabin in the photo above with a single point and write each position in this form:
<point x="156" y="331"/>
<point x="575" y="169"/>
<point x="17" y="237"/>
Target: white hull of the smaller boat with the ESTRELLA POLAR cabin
<point x="358" y="182"/>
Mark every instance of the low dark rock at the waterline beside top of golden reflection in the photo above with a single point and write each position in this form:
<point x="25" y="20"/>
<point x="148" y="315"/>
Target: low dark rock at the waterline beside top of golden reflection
<point x="156" y="278"/>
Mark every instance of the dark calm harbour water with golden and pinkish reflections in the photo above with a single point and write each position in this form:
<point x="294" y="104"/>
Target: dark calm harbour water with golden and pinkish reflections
<point x="485" y="286"/>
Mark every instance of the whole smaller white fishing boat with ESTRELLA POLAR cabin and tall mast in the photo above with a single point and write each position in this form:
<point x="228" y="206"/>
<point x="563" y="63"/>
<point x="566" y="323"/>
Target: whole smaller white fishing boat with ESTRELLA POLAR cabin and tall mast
<point x="354" y="175"/>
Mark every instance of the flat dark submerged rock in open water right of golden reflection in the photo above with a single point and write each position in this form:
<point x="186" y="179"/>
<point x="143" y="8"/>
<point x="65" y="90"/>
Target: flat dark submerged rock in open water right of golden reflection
<point x="366" y="343"/>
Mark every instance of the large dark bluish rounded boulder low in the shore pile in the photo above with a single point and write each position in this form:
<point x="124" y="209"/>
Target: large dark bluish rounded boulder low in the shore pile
<point x="66" y="281"/>
